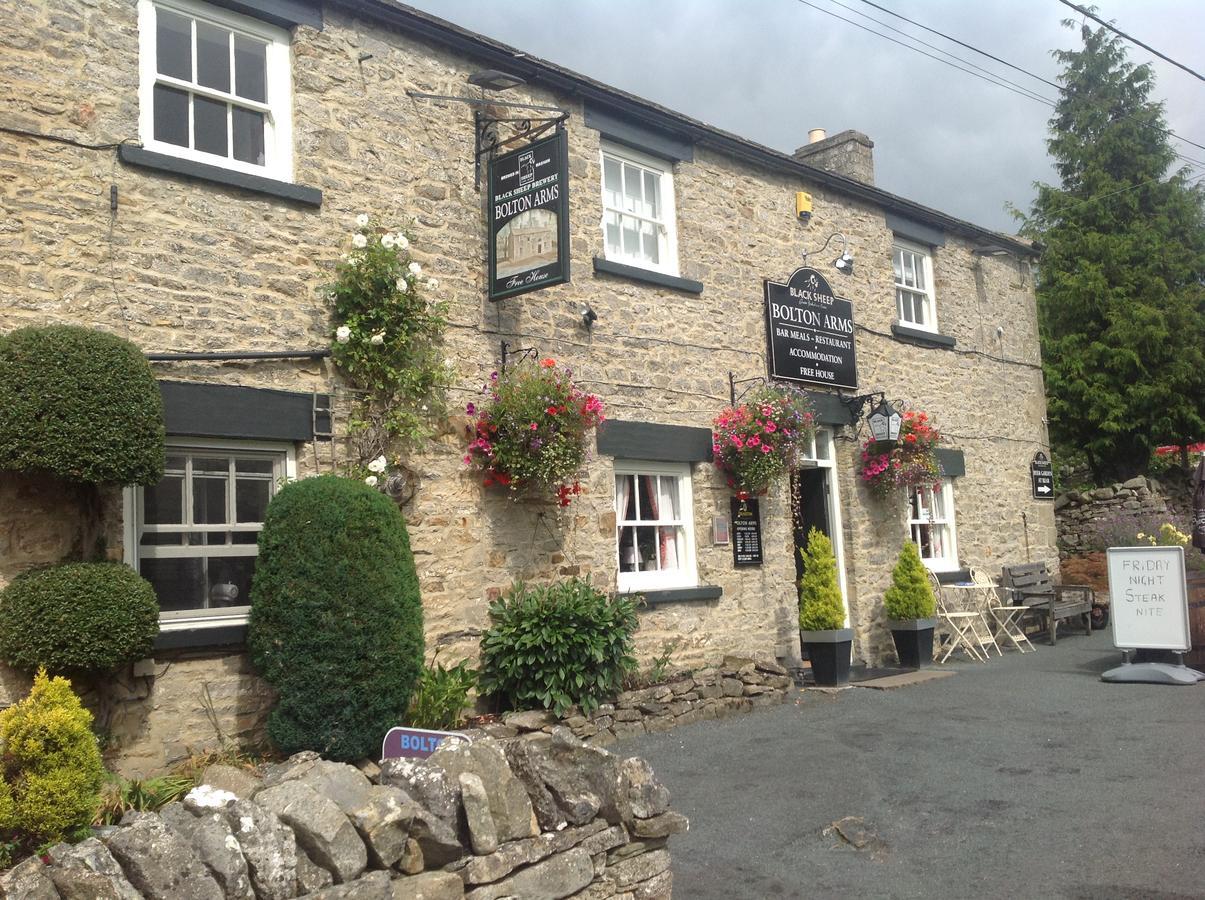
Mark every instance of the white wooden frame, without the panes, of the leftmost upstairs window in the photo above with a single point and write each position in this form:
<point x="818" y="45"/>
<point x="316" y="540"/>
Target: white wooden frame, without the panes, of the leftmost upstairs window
<point x="279" y="89"/>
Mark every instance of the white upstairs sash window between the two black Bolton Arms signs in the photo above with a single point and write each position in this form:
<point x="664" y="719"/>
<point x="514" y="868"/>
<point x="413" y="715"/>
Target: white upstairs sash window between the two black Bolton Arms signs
<point x="638" y="210"/>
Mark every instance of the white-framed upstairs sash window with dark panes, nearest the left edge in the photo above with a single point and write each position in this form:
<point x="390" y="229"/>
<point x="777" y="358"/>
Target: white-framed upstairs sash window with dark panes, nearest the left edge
<point x="215" y="87"/>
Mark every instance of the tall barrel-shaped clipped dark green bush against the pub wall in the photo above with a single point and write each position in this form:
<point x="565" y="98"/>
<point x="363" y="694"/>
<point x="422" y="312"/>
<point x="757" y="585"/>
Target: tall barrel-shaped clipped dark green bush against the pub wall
<point x="337" y="620"/>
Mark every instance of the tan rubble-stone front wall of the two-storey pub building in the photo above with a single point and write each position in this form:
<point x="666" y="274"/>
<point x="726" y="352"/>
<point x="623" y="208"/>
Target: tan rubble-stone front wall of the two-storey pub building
<point x="187" y="266"/>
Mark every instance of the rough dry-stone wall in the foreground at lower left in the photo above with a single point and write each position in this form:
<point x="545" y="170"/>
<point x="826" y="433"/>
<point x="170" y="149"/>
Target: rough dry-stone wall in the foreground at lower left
<point x="543" y="816"/>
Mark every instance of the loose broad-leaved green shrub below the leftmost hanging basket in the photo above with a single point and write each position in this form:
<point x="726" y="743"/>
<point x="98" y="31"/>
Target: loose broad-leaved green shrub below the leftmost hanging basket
<point x="557" y="646"/>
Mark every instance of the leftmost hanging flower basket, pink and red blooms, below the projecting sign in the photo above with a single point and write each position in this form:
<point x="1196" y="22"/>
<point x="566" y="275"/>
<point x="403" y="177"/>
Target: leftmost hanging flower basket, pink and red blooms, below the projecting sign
<point x="532" y="431"/>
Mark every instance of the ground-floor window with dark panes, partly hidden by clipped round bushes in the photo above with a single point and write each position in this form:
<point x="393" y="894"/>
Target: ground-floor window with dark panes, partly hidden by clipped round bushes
<point x="195" y="534"/>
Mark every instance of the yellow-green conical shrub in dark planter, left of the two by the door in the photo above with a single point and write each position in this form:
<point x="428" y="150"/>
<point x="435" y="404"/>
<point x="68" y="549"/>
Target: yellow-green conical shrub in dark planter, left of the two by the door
<point x="822" y="614"/>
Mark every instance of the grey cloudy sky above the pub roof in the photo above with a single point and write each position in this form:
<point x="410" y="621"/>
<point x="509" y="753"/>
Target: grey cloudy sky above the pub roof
<point x="771" y="70"/>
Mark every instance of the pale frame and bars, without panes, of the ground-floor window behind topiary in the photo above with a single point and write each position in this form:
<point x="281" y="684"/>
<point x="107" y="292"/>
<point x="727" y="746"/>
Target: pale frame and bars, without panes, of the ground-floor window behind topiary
<point x="133" y="511"/>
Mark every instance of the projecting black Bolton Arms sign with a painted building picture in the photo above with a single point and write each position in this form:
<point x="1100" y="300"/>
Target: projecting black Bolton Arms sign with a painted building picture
<point x="530" y="217"/>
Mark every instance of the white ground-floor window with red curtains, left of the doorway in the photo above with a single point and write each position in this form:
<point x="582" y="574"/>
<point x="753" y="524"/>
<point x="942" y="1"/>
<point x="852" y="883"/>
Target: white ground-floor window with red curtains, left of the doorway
<point x="655" y="532"/>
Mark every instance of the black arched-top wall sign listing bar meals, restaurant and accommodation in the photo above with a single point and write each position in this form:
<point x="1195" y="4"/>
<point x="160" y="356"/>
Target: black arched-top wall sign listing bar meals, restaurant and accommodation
<point x="810" y="332"/>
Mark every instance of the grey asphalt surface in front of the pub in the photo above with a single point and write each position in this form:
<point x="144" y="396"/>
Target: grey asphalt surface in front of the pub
<point x="1022" y="778"/>
